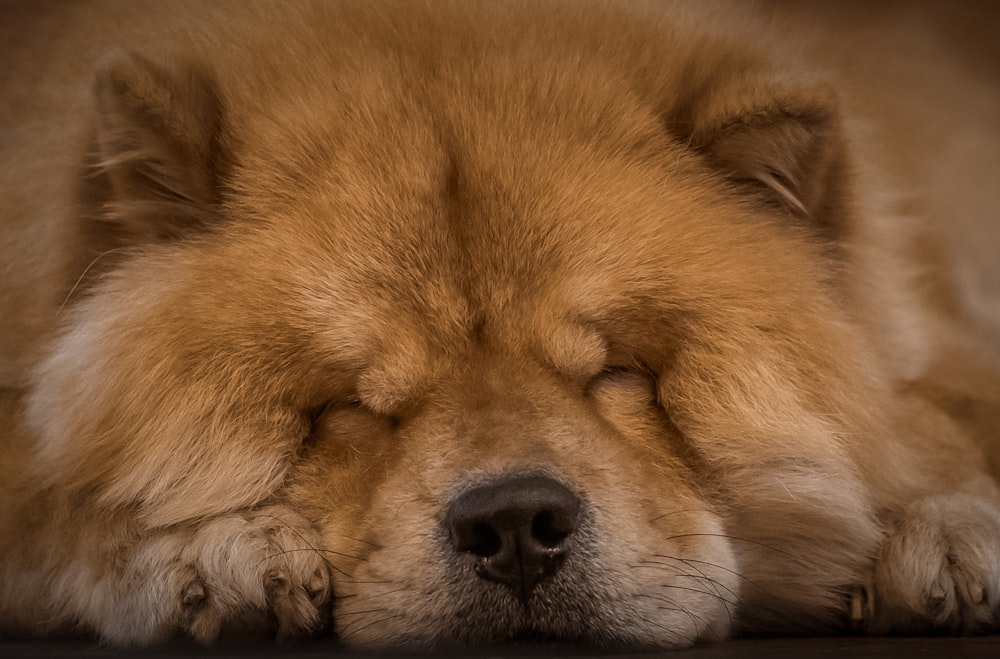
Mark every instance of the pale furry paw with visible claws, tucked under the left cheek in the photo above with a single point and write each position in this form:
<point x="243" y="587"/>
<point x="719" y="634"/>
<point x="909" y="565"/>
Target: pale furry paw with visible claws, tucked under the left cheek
<point x="229" y="571"/>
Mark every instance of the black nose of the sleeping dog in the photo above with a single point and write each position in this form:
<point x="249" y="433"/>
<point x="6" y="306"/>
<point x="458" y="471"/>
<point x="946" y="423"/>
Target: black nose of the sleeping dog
<point x="519" y="529"/>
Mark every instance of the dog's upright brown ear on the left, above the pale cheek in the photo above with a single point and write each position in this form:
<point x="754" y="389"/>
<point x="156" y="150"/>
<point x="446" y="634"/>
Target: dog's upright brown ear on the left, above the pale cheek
<point x="155" y="149"/>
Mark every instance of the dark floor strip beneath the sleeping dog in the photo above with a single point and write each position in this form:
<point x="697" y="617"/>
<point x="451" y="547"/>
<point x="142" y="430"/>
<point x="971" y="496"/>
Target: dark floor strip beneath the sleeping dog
<point x="853" y="647"/>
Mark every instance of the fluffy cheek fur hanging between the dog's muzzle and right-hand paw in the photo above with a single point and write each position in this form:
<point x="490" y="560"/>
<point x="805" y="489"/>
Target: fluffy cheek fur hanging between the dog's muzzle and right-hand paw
<point x="774" y="457"/>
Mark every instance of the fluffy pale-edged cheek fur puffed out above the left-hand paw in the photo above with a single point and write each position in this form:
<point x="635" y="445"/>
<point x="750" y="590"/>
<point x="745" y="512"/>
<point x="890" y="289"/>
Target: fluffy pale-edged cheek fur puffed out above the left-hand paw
<point x="158" y="398"/>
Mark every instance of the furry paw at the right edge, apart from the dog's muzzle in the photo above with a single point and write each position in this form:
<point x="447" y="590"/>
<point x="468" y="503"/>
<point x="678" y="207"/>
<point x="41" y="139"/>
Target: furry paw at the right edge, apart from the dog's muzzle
<point x="939" y="568"/>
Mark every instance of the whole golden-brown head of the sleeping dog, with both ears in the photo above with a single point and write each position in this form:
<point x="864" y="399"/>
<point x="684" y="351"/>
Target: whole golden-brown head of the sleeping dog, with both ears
<point x="532" y="372"/>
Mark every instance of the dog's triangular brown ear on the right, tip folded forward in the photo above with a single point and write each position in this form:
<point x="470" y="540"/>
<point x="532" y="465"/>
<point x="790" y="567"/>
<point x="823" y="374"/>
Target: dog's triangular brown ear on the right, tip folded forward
<point x="781" y="141"/>
